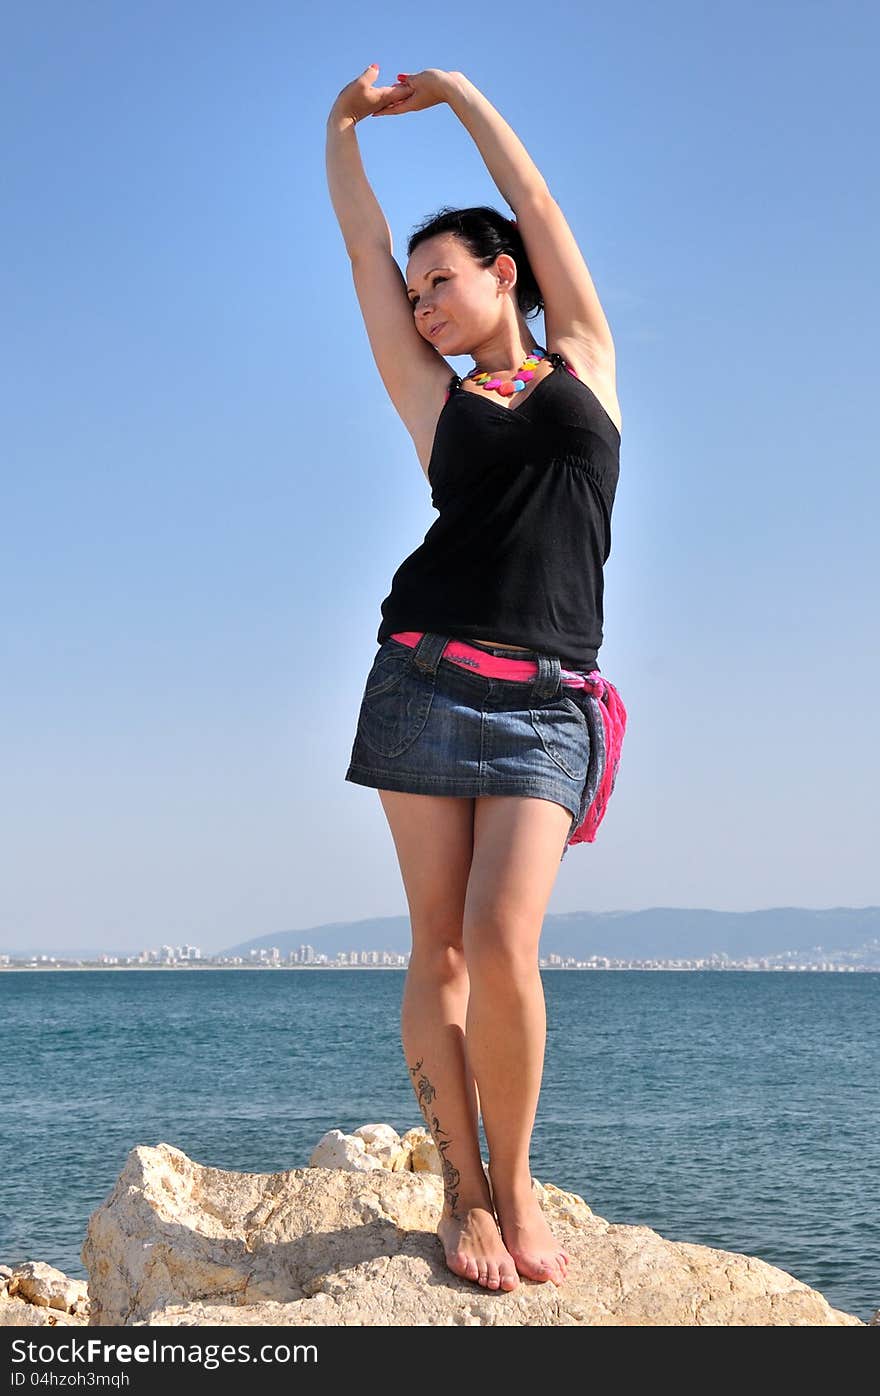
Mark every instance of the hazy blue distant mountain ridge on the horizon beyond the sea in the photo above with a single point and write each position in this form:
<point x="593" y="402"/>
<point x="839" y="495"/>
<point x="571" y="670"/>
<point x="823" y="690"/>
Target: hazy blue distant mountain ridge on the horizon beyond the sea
<point x="657" y="933"/>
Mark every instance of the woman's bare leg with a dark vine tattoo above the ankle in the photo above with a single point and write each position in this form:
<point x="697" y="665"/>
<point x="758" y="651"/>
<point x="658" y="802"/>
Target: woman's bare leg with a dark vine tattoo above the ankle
<point x="434" y="837"/>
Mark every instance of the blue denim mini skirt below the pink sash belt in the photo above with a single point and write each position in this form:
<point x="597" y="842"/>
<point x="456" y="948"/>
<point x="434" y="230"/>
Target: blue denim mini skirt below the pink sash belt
<point x="431" y="727"/>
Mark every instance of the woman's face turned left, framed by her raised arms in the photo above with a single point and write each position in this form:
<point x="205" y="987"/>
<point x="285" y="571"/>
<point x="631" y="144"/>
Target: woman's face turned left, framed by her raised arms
<point x="453" y="295"/>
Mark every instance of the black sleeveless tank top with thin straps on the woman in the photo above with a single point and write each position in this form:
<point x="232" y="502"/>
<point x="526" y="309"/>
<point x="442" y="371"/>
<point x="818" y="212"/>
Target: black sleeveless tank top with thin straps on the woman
<point x="525" y="499"/>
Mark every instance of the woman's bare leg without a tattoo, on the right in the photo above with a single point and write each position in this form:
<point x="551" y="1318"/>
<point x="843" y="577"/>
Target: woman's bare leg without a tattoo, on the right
<point x="518" y="851"/>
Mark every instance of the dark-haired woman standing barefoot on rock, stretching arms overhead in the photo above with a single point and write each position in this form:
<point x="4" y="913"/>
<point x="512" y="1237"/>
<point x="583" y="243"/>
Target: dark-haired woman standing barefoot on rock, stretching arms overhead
<point x="485" y="725"/>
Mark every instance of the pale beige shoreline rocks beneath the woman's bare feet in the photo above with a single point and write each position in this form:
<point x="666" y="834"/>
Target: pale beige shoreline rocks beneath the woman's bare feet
<point x="351" y="1240"/>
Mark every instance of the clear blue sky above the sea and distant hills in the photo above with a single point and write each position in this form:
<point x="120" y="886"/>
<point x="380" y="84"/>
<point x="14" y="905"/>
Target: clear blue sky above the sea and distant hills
<point x="206" y="489"/>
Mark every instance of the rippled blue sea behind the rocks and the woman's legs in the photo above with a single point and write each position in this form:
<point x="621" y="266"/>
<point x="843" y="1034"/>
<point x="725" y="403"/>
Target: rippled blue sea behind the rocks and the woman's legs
<point x="735" y="1109"/>
